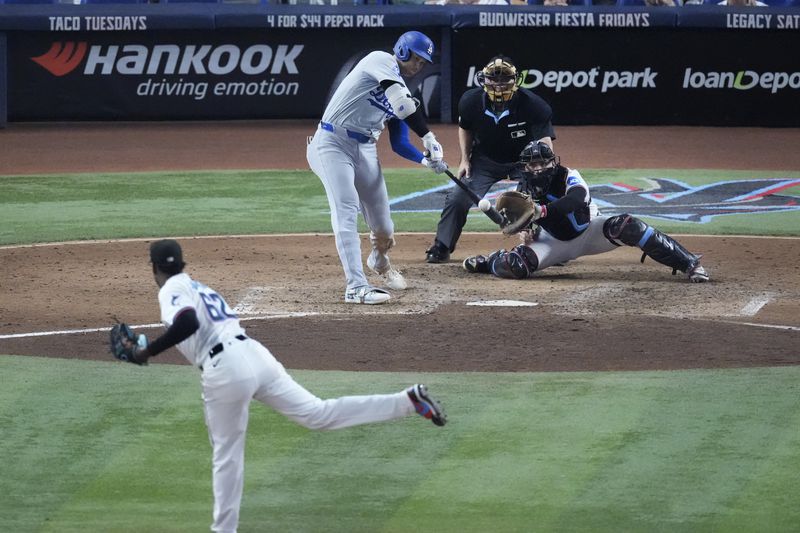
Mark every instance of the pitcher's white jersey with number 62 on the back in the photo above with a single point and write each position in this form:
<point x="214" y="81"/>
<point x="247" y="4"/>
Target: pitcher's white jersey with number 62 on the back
<point x="217" y="320"/>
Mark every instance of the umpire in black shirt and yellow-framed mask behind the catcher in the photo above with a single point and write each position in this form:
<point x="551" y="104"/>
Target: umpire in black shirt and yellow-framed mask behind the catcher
<point x="496" y="121"/>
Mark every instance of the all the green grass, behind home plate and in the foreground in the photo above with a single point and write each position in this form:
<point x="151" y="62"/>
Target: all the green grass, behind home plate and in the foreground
<point x="107" y="447"/>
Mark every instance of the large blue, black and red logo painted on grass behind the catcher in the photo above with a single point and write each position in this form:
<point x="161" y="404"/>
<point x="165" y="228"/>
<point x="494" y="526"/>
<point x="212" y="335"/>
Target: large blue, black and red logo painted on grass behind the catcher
<point x="664" y="198"/>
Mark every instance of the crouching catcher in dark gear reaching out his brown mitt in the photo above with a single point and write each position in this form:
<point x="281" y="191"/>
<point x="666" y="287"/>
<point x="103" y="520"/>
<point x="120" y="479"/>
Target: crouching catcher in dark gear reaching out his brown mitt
<point x="553" y="212"/>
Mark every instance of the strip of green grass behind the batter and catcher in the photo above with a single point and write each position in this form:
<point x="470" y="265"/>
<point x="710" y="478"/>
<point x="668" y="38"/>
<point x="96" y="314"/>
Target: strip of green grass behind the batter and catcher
<point x="100" y="206"/>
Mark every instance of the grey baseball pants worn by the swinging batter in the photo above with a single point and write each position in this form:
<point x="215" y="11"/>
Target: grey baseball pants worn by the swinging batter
<point x="352" y="177"/>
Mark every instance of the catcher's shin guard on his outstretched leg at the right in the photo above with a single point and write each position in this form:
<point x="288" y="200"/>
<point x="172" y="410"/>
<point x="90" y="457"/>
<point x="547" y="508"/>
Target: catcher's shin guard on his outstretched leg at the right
<point x="629" y="230"/>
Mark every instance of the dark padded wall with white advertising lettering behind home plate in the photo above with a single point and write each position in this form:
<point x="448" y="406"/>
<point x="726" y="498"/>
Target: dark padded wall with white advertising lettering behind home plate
<point x="703" y="65"/>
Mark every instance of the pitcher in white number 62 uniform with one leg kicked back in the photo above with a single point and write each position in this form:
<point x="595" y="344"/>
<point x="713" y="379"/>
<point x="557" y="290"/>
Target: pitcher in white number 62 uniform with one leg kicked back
<point x="236" y="369"/>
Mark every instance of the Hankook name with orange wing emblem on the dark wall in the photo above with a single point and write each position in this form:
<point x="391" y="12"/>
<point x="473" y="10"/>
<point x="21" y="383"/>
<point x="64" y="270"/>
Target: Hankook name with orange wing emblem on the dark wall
<point x="165" y="59"/>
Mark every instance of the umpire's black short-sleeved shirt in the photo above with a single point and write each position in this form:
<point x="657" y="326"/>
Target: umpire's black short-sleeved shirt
<point x="501" y="138"/>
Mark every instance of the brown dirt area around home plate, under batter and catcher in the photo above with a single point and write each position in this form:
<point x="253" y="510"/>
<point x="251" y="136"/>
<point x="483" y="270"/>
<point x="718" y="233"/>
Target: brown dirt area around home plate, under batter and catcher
<point x="606" y="312"/>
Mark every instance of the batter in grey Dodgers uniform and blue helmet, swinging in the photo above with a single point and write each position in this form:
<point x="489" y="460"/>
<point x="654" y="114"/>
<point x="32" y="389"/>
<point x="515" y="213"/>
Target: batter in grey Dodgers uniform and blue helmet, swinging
<point x="343" y="154"/>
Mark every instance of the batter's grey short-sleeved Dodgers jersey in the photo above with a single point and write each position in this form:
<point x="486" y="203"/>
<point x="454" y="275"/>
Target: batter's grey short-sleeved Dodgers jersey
<point x="359" y="103"/>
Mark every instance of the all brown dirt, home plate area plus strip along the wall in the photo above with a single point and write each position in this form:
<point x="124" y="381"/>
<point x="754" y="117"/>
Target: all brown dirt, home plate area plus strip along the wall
<point x="597" y="313"/>
